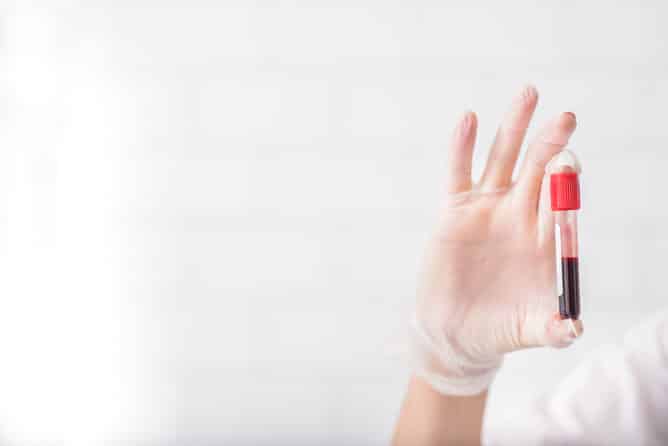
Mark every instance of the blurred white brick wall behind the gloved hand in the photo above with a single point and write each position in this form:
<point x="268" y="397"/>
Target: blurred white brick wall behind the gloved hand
<point x="213" y="214"/>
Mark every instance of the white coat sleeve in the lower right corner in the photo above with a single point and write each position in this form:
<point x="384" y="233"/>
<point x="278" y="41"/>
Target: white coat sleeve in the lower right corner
<point x="617" y="397"/>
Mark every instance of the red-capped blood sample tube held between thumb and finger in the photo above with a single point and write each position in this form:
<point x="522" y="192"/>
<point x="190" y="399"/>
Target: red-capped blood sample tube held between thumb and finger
<point x="564" y="172"/>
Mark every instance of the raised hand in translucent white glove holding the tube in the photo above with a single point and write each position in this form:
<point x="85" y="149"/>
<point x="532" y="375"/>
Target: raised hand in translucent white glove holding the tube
<point x="489" y="282"/>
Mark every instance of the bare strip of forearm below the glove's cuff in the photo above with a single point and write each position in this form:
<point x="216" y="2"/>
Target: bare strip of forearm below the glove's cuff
<point x="429" y="418"/>
